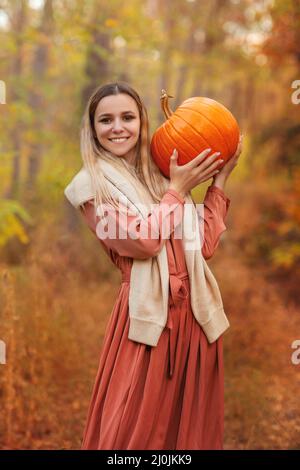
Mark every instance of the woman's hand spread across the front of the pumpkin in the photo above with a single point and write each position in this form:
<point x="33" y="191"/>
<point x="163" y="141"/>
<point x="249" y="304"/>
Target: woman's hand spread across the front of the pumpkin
<point x="183" y="178"/>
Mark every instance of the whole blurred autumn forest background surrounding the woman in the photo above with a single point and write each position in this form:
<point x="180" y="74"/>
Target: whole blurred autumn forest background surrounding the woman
<point x="58" y="287"/>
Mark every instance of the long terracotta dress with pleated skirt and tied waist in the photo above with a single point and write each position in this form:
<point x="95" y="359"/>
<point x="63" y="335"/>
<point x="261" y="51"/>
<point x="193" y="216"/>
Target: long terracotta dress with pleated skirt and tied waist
<point x="170" y="396"/>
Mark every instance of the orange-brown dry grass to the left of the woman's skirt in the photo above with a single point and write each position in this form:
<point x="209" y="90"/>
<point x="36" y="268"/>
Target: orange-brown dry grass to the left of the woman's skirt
<point x="52" y="322"/>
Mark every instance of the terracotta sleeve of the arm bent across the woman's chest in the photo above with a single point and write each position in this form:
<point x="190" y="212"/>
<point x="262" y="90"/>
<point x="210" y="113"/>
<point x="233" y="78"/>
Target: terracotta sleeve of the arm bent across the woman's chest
<point x="133" y="236"/>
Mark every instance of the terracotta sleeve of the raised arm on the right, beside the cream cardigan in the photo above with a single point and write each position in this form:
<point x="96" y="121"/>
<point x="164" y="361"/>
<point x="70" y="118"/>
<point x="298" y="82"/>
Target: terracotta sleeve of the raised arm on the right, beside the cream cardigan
<point x="216" y="205"/>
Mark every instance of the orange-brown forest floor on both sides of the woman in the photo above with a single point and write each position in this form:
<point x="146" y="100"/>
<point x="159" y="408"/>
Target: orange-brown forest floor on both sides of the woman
<point x="54" y="314"/>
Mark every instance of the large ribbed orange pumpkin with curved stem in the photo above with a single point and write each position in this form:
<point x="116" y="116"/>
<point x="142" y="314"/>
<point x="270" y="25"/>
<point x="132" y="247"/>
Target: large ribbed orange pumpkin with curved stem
<point x="197" y="124"/>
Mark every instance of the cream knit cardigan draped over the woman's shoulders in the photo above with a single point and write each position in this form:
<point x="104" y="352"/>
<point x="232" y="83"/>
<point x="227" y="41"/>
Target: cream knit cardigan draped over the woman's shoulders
<point x="148" y="308"/>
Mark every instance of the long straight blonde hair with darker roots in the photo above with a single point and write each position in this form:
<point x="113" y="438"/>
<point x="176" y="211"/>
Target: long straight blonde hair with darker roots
<point x="146" y="175"/>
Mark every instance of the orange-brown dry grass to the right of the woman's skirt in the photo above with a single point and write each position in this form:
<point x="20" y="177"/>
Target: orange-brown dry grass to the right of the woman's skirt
<point x="261" y="386"/>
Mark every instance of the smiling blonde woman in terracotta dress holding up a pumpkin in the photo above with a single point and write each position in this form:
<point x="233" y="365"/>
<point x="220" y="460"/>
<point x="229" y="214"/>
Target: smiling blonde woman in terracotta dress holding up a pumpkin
<point x="165" y="394"/>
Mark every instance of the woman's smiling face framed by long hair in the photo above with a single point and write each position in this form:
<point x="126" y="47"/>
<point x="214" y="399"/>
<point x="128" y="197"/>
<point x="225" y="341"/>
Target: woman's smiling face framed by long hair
<point x="117" y="125"/>
